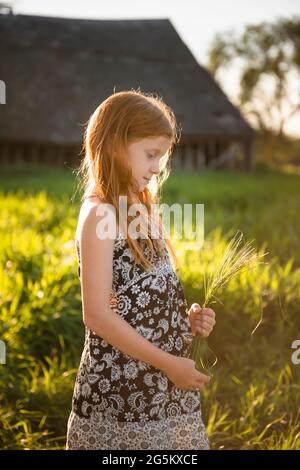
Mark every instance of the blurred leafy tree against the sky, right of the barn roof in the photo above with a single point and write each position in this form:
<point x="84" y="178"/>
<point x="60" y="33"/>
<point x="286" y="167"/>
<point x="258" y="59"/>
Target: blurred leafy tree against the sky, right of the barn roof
<point x="268" y="58"/>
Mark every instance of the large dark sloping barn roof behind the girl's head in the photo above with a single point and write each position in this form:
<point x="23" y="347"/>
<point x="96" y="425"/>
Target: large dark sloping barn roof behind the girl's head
<point x="58" y="70"/>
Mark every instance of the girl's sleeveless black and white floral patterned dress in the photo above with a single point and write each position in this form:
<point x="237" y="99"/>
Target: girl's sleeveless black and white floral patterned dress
<point x="120" y="402"/>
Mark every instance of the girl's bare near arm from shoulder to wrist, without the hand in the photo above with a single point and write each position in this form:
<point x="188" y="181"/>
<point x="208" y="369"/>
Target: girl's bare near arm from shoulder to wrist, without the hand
<point x="96" y="283"/>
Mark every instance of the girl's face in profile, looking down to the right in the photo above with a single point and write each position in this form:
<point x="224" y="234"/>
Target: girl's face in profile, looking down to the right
<point x="145" y="157"/>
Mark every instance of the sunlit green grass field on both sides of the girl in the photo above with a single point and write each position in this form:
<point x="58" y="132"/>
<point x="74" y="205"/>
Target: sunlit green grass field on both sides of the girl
<point x="253" y="401"/>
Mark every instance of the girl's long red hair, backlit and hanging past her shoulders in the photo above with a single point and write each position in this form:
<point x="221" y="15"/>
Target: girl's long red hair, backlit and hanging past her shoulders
<point x="121" y="119"/>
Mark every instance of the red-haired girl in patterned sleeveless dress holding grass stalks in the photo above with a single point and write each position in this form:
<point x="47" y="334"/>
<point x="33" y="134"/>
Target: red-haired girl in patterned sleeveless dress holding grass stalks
<point x="134" y="388"/>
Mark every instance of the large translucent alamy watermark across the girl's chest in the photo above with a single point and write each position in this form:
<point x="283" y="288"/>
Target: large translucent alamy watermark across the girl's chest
<point x="188" y="222"/>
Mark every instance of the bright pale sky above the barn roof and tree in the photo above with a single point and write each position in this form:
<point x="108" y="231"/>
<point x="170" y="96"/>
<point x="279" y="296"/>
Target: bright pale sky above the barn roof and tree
<point x="196" y="21"/>
